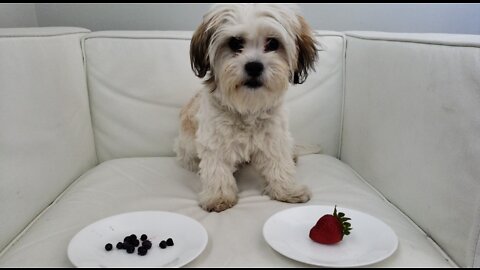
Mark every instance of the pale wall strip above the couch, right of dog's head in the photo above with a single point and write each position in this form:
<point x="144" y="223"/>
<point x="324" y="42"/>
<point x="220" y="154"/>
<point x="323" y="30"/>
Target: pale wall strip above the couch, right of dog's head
<point x="434" y="18"/>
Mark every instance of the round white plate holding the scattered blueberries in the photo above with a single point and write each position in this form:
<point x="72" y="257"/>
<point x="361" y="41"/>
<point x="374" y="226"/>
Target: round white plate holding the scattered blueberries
<point x="87" y="247"/>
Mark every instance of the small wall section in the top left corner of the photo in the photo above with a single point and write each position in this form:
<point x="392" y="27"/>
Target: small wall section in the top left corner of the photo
<point x="17" y="15"/>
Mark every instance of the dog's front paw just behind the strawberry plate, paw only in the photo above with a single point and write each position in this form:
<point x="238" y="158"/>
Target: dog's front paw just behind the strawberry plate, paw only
<point x="294" y="193"/>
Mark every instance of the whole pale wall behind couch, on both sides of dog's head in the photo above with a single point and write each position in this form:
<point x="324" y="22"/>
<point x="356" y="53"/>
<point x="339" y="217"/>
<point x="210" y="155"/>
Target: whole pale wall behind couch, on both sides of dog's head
<point x="436" y="18"/>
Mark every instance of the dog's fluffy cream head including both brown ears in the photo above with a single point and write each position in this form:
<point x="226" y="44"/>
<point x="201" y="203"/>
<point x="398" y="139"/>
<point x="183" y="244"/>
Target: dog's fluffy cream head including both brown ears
<point x="250" y="53"/>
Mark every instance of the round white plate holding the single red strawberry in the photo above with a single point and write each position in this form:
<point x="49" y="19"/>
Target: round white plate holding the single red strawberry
<point x="370" y="239"/>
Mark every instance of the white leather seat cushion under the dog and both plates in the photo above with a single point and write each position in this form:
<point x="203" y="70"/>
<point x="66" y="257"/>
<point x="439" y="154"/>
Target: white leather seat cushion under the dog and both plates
<point x="235" y="235"/>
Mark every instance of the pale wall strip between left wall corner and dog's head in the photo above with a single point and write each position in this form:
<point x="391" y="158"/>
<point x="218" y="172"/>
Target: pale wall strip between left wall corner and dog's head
<point x="122" y="16"/>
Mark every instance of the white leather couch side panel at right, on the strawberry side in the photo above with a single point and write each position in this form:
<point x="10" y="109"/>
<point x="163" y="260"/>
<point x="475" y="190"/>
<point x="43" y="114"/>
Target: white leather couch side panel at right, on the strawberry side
<point x="412" y="128"/>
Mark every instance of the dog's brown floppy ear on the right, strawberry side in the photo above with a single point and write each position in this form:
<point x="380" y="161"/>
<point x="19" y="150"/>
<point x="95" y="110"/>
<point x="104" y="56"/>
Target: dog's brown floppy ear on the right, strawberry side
<point x="307" y="51"/>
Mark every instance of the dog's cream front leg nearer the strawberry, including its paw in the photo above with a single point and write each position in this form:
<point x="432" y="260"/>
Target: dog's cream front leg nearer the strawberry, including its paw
<point x="276" y="165"/>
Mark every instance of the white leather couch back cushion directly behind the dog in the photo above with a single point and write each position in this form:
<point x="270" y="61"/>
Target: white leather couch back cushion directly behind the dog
<point x="139" y="80"/>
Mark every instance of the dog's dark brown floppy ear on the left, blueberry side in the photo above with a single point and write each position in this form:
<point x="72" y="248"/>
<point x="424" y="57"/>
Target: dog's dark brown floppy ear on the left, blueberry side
<point x="199" y="59"/>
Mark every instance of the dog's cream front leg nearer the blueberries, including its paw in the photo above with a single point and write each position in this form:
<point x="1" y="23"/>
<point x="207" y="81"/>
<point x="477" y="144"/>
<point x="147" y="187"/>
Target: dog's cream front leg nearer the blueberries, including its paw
<point x="219" y="188"/>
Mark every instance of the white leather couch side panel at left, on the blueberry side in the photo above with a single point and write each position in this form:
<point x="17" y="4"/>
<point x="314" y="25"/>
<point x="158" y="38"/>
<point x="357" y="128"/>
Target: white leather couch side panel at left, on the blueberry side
<point x="46" y="138"/>
